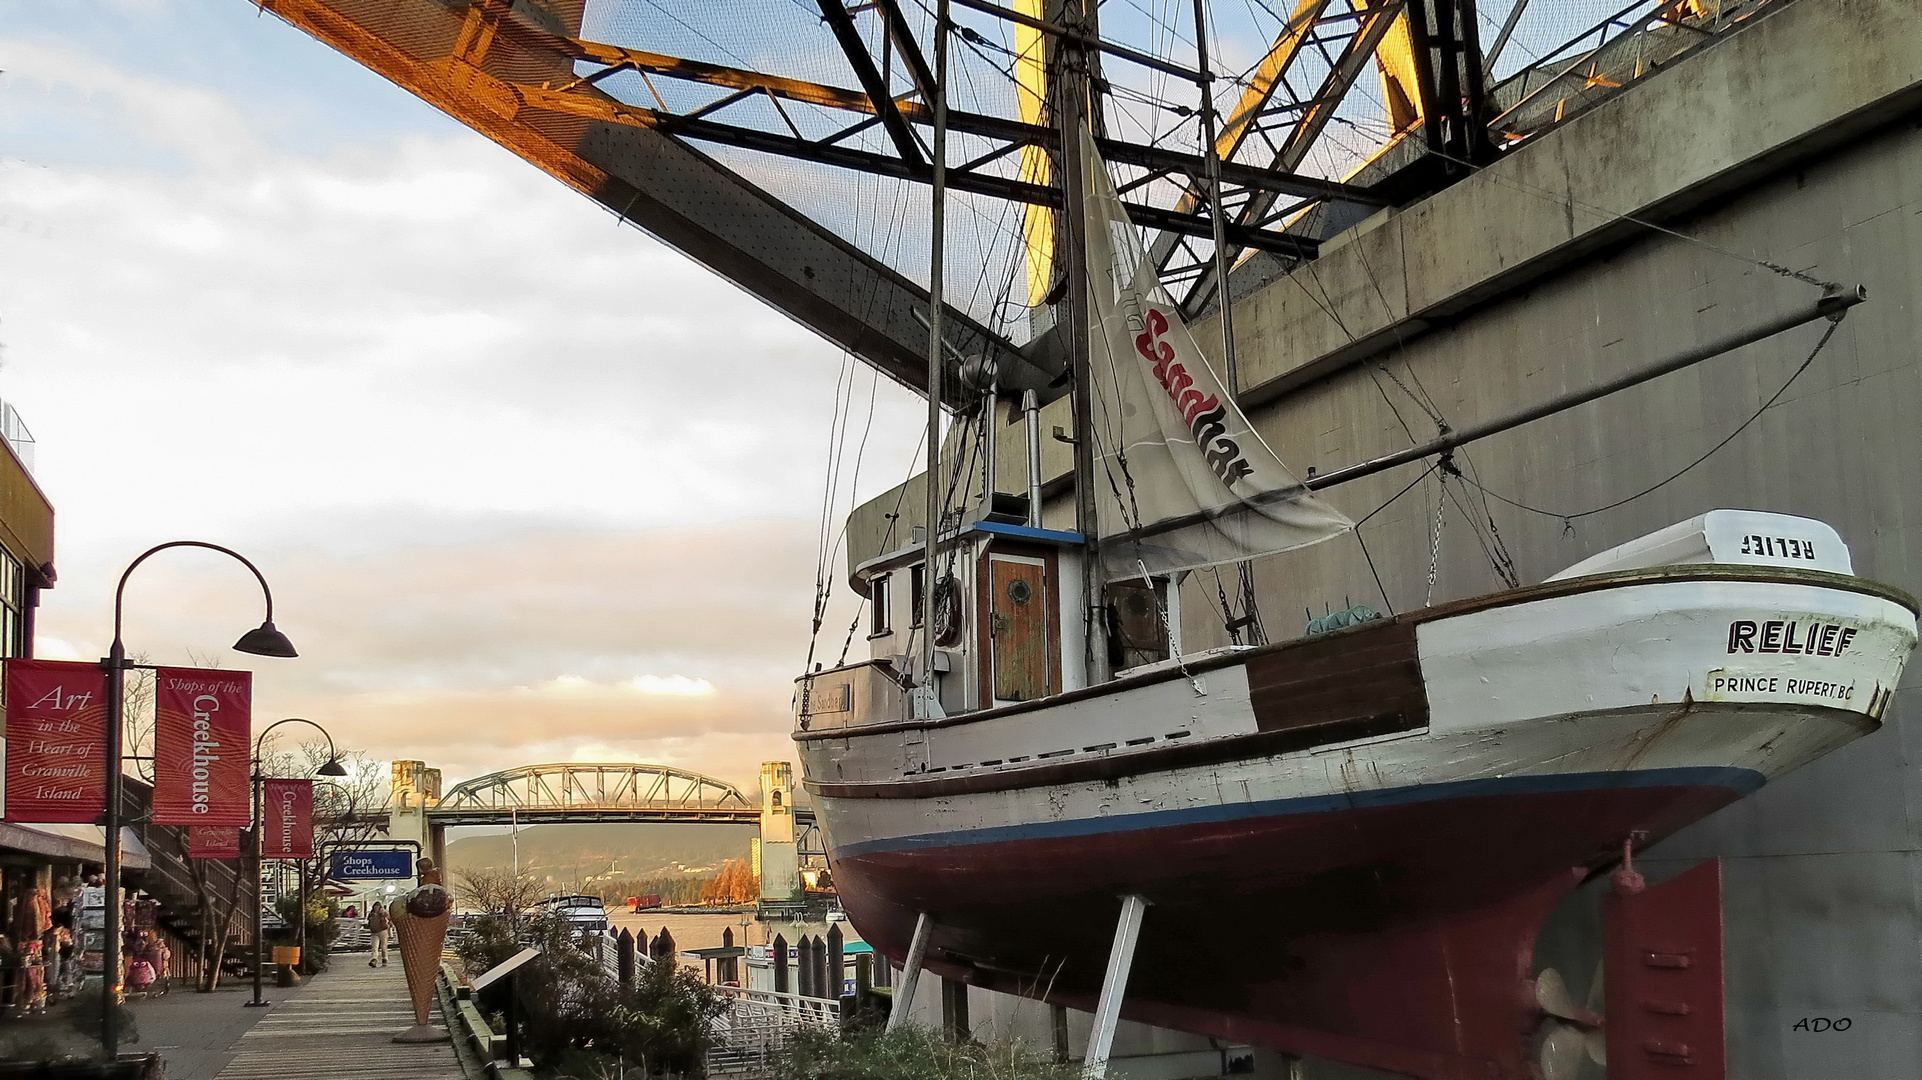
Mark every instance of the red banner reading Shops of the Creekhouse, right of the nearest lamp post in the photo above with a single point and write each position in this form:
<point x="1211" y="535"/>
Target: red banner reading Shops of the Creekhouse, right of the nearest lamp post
<point x="203" y="731"/>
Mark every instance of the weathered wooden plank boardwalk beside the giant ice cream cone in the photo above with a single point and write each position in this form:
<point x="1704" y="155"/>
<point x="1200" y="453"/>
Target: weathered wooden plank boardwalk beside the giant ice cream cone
<point x="339" y="1027"/>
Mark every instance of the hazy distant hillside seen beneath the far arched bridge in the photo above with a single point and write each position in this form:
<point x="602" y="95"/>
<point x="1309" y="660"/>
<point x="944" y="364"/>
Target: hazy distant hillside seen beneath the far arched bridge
<point x="574" y="854"/>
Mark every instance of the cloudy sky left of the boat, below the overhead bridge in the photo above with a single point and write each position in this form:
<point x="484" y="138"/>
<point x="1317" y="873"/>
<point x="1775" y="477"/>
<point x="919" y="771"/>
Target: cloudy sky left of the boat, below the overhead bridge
<point x="528" y="483"/>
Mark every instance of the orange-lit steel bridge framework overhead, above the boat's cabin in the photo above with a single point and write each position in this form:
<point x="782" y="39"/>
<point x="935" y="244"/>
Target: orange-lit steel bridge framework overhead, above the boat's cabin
<point x="639" y="132"/>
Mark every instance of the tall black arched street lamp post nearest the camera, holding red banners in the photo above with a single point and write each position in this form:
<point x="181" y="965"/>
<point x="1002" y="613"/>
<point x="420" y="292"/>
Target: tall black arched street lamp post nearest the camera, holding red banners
<point x="260" y="641"/>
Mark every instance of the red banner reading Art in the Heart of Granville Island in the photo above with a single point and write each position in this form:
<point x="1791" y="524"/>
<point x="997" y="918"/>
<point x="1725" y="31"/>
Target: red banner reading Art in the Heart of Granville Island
<point x="57" y="741"/>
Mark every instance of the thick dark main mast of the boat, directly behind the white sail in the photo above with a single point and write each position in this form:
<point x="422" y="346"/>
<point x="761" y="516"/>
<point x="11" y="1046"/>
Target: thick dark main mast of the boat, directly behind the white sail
<point x="1072" y="101"/>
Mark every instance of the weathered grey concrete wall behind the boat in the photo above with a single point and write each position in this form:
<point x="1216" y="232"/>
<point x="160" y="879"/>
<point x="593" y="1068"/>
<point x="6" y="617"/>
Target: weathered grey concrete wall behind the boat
<point x="1735" y="151"/>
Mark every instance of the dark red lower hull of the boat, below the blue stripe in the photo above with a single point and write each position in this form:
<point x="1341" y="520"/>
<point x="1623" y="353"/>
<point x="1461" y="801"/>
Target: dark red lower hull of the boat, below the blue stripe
<point x="1394" y="937"/>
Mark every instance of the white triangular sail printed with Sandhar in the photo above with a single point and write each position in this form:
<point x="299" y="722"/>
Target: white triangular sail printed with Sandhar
<point x="1185" y="481"/>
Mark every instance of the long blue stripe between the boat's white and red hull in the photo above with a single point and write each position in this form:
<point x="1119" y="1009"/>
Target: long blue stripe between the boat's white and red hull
<point x="1740" y="781"/>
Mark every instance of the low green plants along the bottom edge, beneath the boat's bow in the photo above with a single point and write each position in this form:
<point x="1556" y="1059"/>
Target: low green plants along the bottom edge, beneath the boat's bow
<point x="910" y="1054"/>
